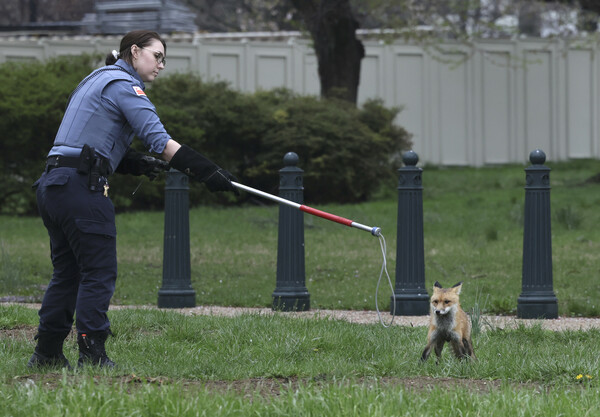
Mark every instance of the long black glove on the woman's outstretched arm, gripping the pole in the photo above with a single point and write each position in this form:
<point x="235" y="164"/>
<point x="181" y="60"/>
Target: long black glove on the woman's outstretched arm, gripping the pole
<point x="202" y="169"/>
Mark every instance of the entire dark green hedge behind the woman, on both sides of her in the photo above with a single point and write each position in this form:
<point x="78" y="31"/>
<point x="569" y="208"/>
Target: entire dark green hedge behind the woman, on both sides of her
<point x="345" y="152"/>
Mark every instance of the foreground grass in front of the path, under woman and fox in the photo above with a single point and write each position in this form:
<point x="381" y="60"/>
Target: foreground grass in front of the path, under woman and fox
<point x="275" y="365"/>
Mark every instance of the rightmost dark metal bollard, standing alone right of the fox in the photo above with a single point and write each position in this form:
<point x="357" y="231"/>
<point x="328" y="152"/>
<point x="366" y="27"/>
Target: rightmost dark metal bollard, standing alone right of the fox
<point x="537" y="299"/>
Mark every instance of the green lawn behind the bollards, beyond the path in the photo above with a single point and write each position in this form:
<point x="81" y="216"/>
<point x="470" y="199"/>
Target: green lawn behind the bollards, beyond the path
<point x="473" y="233"/>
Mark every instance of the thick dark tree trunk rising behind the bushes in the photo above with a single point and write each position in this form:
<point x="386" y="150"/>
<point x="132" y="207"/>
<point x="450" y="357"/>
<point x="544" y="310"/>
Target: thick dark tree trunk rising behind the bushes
<point x="333" y="29"/>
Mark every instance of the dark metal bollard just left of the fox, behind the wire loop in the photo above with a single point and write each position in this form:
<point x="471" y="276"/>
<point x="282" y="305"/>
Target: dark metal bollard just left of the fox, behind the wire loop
<point x="411" y="297"/>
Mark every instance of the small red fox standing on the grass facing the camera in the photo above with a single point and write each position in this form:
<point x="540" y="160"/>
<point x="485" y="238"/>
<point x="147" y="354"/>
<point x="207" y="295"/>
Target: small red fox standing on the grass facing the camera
<point x="448" y="323"/>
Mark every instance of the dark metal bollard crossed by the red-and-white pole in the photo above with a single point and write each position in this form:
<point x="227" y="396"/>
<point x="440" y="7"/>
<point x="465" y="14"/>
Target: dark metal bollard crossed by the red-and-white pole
<point x="290" y="292"/>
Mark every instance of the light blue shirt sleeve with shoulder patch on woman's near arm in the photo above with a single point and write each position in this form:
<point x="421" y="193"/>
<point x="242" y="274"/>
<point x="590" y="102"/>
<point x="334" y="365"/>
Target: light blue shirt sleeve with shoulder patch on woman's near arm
<point x="140" y="113"/>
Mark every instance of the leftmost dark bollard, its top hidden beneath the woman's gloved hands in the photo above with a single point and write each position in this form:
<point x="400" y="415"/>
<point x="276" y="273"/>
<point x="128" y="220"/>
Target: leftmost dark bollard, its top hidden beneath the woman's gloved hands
<point x="176" y="290"/>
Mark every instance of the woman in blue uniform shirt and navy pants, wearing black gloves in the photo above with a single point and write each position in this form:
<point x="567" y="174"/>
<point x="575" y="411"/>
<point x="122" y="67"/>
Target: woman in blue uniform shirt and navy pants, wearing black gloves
<point x="106" y="110"/>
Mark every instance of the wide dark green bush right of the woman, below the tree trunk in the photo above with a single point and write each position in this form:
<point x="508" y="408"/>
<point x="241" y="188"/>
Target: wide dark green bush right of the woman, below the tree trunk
<point x="345" y="152"/>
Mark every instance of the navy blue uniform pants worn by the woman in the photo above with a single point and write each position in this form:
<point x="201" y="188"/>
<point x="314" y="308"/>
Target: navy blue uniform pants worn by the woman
<point x="81" y="225"/>
